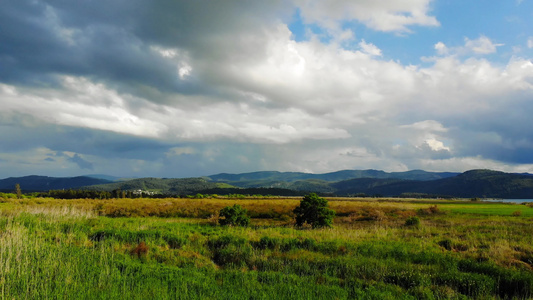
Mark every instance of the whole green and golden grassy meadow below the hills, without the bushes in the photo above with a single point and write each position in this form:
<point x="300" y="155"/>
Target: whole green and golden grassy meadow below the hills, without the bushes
<point x="175" y="249"/>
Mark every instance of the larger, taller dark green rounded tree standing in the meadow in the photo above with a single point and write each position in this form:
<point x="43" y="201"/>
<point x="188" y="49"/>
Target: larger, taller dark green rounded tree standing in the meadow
<point x="314" y="211"/>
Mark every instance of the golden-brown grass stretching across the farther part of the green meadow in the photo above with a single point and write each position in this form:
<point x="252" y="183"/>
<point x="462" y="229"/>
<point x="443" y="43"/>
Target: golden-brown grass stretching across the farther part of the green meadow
<point x="504" y="239"/>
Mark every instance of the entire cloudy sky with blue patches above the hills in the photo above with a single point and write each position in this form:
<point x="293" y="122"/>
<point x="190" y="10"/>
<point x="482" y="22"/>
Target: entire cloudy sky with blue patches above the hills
<point x="176" y="88"/>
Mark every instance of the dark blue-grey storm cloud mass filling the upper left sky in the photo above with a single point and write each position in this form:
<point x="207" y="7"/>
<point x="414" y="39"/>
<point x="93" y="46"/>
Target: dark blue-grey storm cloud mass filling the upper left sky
<point x="114" y="41"/>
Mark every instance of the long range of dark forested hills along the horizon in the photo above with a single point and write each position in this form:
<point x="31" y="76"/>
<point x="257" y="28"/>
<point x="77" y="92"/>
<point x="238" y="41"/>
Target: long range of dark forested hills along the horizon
<point x="416" y="183"/>
